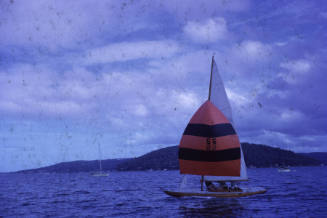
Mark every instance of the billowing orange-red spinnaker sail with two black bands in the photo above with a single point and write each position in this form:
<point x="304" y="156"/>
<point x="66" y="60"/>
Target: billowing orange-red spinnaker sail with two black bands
<point x="210" y="145"/>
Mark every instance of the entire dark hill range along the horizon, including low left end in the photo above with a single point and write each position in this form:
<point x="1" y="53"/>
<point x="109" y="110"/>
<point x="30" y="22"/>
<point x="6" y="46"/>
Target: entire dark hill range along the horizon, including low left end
<point x="167" y="158"/>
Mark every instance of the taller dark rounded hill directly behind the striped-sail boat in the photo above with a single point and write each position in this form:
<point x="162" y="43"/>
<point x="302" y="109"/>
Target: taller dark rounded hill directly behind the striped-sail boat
<point x="255" y="156"/>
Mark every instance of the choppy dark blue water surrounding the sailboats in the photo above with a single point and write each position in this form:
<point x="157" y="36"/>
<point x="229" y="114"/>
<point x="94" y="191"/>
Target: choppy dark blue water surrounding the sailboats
<point x="300" y="193"/>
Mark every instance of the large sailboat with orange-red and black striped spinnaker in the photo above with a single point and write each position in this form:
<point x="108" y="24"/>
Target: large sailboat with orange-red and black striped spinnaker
<point x="210" y="146"/>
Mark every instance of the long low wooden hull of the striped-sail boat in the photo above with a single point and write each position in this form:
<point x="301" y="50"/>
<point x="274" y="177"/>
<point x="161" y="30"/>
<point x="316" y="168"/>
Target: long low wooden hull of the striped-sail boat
<point x="190" y="193"/>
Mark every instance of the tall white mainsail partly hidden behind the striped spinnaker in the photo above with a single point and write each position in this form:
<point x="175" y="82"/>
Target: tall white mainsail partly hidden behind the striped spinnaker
<point x="218" y="96"/>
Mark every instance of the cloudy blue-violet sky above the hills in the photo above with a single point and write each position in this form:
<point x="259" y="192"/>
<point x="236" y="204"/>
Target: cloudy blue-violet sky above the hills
<point x="83" y="80"/>
